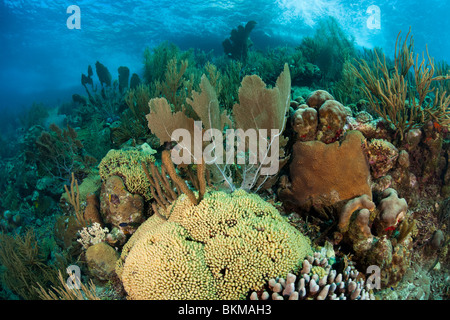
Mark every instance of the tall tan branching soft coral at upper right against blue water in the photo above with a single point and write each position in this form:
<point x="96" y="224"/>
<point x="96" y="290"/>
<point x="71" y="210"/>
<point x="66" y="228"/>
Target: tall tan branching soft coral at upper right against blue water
<point x="390" y="96"/>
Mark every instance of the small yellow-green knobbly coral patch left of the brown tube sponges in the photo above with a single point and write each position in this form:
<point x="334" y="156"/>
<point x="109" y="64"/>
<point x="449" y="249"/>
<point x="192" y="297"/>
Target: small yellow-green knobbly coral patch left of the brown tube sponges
<point x="127" y="165"/>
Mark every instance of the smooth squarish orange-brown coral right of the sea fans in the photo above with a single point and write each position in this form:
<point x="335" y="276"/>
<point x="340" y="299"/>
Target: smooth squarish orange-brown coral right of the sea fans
<point x="323" y="174"/>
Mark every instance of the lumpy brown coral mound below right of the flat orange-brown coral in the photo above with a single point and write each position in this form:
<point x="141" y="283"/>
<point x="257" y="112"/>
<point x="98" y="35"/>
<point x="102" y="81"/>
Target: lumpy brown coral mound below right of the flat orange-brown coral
<point x="389" y="246"/>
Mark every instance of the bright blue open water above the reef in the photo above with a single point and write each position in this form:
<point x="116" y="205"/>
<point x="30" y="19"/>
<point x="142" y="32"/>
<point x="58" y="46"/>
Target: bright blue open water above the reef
<point x="42" y="60"/>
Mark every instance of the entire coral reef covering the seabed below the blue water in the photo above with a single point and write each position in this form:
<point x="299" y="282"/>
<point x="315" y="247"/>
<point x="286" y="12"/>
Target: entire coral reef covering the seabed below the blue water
<point x="361" y="151"/>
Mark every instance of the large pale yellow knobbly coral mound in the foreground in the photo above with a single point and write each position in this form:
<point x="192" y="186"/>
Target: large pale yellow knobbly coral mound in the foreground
<point x="222" y="248"/>
